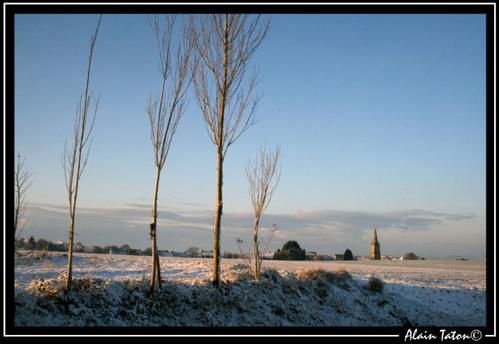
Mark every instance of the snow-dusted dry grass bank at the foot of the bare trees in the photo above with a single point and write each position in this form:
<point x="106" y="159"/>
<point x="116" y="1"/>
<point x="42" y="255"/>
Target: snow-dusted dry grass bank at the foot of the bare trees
<point x="283" y="298"/>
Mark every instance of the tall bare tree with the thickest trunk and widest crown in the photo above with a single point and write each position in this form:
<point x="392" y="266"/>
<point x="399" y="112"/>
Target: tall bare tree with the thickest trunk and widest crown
<point x="224" y="44"/>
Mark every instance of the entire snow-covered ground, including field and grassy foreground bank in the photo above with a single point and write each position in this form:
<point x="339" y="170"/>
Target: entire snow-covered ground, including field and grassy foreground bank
<point x="111" y="290"/>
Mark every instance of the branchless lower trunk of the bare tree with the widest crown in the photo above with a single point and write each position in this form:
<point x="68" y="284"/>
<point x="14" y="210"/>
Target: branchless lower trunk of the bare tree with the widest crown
<point x="217" y="225"/>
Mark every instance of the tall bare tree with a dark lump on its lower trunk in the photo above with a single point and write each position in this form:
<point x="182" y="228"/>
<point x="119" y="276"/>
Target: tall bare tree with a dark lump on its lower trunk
<point x="165" y="112"/>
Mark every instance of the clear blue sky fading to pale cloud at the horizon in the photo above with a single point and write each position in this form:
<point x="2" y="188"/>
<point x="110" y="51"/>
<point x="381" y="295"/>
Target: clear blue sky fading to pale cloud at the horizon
<point x="380" y="119"/>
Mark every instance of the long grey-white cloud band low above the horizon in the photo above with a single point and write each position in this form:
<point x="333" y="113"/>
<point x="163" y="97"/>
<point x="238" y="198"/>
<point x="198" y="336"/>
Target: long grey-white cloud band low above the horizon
<point x="318" y="229"/>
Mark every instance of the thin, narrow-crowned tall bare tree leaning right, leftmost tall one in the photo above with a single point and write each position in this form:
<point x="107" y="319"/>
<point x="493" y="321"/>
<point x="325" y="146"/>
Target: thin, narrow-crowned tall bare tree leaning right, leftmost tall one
<point x="74" y="159"/>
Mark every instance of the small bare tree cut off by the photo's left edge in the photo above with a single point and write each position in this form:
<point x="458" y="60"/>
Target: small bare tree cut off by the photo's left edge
<point x="22" y="183"/>
